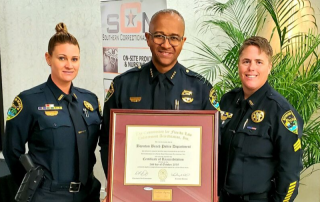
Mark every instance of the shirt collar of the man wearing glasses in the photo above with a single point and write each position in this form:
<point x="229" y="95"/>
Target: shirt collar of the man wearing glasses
<point x="172" y="75"/>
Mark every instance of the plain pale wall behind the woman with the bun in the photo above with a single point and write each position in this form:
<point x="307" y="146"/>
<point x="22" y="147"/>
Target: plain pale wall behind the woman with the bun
<point x="25" y="29"/>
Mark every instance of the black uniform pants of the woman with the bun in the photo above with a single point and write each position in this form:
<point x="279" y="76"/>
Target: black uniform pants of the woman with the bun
<point x="88" y="193"/>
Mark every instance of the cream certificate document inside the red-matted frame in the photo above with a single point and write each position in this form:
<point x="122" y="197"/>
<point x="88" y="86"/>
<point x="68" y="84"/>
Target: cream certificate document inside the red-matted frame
<point x="163" y="155"/>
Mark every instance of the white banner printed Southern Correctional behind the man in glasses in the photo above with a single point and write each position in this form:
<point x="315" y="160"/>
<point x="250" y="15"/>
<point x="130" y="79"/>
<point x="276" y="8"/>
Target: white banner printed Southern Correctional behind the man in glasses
<point x="123" y="26"/>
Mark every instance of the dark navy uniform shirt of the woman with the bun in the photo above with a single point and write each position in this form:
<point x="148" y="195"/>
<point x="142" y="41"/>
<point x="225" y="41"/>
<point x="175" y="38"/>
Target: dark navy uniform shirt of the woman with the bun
<point x="50" y="133"/>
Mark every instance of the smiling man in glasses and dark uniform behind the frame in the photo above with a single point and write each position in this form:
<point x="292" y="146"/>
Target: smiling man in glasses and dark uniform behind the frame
<point x="162" y="83"/>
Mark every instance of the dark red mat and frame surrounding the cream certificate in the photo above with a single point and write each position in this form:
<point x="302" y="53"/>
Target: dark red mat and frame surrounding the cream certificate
<point x="132" y="117"/>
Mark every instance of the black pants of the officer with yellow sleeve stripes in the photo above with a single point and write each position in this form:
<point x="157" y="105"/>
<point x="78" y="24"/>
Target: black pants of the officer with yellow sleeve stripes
<point x="226" y="197"/>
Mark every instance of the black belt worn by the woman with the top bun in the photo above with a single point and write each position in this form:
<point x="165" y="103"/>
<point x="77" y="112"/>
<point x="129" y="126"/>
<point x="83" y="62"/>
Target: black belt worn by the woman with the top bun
<point x="72" y="187"/>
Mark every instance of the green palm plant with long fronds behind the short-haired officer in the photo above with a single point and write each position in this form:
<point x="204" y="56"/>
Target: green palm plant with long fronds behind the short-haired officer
<point x="296" y="64"/>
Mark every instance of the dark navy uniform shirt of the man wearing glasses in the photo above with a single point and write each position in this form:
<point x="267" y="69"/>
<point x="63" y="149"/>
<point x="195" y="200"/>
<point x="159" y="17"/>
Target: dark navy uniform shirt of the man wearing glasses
<point x="135" y="89"/>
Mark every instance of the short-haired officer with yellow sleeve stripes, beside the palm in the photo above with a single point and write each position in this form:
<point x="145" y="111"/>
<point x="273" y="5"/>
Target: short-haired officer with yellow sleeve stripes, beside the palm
<point x="260" y="156"/>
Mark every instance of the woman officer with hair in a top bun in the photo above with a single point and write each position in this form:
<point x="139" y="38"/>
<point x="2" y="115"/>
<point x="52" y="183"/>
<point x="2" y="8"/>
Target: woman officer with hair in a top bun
<point x="61" y="123"/>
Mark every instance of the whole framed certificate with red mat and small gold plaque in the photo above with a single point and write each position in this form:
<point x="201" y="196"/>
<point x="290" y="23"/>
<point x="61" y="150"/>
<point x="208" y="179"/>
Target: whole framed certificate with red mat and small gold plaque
<point x="163" y="155"/>
